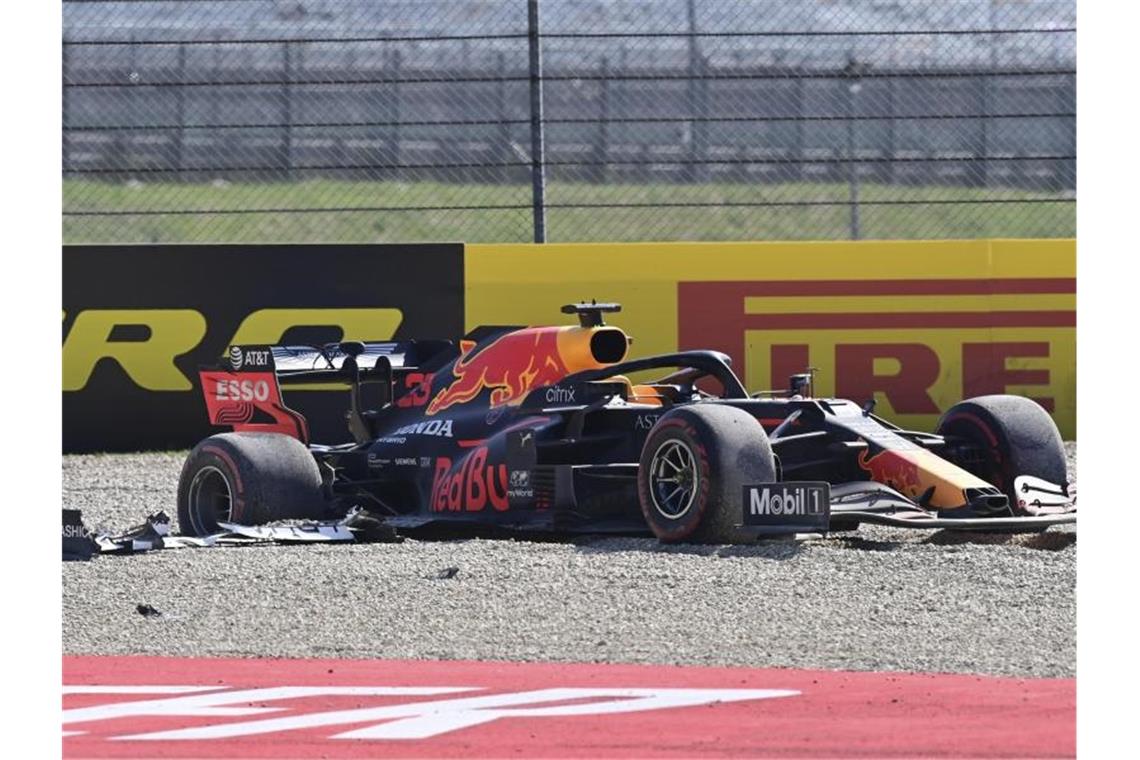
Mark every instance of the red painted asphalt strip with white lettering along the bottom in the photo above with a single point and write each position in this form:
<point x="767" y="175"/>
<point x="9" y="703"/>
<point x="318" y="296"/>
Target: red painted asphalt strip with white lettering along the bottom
<point x="136" y="707"/>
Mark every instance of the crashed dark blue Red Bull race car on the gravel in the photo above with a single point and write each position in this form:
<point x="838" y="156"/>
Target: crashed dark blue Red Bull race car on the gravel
<point x="542" y="429"/>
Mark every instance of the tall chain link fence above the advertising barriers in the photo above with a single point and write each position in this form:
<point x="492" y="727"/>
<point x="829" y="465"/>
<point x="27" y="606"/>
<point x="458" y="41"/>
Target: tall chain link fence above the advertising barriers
<point x="591" y="120"/>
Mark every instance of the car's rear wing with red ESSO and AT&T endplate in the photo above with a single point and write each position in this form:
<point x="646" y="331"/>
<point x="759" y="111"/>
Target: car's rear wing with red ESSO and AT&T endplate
<point x="243" y="391"/>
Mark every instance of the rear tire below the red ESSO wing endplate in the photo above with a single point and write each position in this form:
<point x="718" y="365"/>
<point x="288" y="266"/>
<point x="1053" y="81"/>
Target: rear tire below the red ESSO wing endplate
<point x="248" y="479"/>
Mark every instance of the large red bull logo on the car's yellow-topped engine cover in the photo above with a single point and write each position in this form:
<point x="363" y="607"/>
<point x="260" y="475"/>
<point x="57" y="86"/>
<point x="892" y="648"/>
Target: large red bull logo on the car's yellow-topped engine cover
<point x="510" y="369"/>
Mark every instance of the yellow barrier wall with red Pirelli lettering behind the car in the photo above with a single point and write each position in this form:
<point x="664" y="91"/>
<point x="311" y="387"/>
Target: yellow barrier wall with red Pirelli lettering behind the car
<point x="917" y="324"/>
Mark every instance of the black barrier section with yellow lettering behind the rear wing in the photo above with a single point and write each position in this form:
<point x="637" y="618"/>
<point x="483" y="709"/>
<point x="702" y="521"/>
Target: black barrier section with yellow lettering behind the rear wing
<point x="140" y="322"/>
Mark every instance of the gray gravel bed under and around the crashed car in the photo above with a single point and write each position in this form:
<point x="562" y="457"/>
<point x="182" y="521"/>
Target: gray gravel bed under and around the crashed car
<point x="878" y="600"/>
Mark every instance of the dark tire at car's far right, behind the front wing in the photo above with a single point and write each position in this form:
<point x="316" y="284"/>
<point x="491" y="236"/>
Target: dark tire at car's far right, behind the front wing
<point x="1014" y="436"/>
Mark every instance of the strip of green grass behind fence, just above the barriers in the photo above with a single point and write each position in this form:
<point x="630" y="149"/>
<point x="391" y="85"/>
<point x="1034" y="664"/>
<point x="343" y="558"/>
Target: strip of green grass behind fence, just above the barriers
<point x="652" y="223"/>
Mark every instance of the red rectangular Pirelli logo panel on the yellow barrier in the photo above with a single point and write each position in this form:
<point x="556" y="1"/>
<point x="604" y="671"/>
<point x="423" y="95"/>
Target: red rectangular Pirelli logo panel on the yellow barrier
<point x="917" y="346"/>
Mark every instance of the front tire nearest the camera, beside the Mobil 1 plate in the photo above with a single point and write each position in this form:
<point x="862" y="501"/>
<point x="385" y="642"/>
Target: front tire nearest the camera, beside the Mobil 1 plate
<point x="694" y="470"/>
